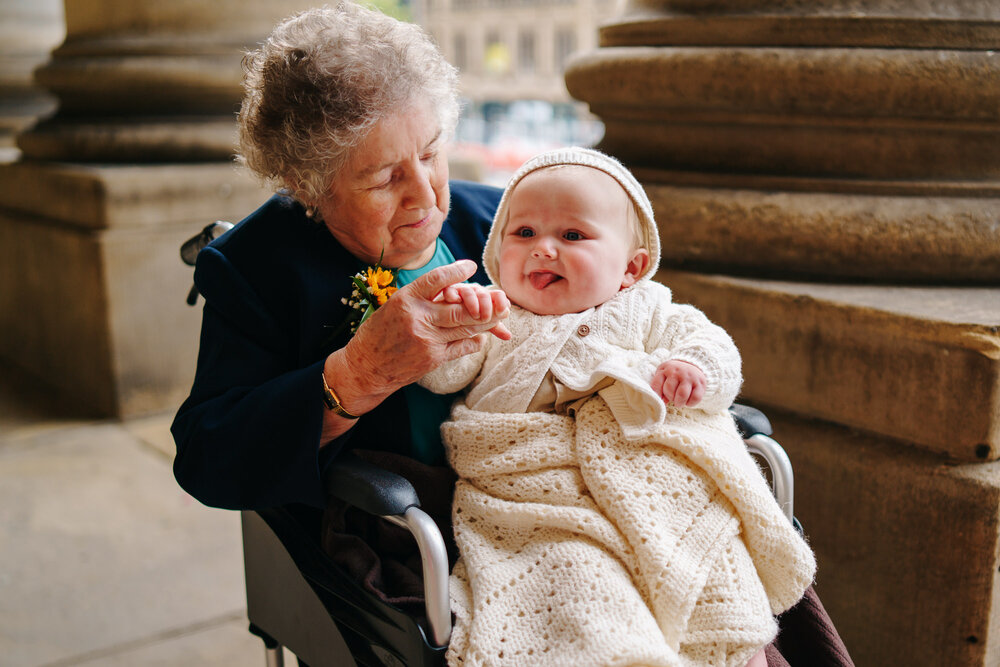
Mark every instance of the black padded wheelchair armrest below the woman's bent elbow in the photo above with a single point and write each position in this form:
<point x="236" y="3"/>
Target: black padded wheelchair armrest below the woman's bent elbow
<point x="368" y="487"/>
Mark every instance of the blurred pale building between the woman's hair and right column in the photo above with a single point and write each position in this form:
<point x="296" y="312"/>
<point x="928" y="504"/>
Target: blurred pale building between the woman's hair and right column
<point x="512" y="55"/>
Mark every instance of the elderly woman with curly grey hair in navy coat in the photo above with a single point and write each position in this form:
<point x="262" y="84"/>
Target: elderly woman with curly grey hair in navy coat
<point x="348" y="111"/>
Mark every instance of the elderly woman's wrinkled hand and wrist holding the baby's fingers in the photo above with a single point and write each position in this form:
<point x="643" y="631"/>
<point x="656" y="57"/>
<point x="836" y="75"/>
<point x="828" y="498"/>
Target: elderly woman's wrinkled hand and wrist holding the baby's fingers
<point x="414" y="332"/>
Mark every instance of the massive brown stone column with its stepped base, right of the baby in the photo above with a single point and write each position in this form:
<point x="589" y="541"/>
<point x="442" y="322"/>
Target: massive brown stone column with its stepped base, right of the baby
<point x="826" y="177"/>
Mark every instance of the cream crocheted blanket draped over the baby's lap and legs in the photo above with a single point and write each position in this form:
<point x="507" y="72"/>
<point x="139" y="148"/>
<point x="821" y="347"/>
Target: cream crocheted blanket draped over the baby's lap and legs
<point x="582" y="547"/>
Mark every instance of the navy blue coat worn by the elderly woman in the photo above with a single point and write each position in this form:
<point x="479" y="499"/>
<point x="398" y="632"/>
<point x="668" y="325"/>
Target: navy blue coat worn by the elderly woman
<point x="248" y="434"/>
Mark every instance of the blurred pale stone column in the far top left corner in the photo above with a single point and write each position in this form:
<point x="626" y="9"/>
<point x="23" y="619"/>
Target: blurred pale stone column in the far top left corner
<point x="30" y="29"/>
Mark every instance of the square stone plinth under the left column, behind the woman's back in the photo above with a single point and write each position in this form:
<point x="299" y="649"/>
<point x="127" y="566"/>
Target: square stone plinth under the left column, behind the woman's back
<point x="92" y="296"/>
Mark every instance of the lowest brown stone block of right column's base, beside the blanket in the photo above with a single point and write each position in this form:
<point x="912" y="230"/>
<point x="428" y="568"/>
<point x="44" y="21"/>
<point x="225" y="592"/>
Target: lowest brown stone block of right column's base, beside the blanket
<point x="906" y="545"/>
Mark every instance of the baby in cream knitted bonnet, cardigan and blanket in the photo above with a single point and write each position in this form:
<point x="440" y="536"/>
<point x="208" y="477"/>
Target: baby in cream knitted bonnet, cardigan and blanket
<point x="606" y="511"/>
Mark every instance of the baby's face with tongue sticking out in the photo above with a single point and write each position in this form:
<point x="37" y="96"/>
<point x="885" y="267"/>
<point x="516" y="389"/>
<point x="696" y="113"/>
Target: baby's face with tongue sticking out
<point x="567" y="245"/>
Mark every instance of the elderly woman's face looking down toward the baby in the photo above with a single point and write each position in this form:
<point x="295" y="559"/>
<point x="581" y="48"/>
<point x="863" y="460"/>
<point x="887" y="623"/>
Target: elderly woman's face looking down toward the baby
<point x="391" y="197"/>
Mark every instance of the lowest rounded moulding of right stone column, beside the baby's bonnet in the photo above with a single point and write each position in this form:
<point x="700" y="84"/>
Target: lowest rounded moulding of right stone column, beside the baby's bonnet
<point x="766" y="227"/>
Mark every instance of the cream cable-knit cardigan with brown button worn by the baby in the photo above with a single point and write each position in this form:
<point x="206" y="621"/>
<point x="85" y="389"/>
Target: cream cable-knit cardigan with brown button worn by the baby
<point x="625" y="338"/>
